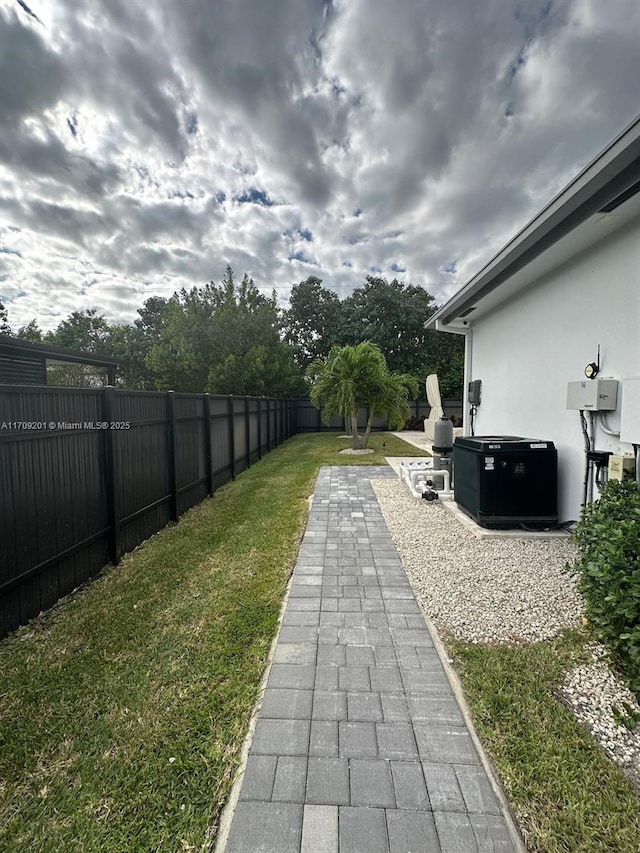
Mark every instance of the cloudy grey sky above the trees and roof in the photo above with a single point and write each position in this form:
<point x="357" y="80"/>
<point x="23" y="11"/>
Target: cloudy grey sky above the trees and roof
<point x="145" y="146"/>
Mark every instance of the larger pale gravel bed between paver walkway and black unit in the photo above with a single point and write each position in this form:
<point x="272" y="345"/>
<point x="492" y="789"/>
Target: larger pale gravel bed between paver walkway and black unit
<point x="480" y="590"/>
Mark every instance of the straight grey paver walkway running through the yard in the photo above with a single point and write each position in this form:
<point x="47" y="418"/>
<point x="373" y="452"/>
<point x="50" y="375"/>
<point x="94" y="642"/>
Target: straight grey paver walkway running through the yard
<point x="360" y="746"/>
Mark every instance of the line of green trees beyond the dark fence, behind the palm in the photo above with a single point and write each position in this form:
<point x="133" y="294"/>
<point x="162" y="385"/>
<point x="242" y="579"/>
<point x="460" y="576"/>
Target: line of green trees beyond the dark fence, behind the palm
<point x="230" y="338"/>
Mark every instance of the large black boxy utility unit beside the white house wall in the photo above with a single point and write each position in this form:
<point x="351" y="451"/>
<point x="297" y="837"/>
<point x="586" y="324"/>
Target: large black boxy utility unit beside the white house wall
<point x="506" y="481"/>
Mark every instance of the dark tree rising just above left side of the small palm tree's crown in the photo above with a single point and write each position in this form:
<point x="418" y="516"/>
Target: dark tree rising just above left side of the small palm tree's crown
<point x="312" y="320"/>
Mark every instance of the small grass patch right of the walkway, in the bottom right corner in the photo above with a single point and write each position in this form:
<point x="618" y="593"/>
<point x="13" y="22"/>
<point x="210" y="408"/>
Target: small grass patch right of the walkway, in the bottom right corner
<point x="568" y="795"/>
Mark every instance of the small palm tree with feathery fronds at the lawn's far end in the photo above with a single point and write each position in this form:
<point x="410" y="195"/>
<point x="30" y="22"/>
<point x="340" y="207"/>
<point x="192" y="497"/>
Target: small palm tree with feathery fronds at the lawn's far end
<point x="355" y="376"/>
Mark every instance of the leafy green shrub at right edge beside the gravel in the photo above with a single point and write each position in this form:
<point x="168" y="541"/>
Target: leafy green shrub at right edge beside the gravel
<point x="608" y="566"/>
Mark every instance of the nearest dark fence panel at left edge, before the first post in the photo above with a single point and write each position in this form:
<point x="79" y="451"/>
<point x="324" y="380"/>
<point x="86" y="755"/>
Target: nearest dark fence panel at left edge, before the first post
<point x="53" y="520"/>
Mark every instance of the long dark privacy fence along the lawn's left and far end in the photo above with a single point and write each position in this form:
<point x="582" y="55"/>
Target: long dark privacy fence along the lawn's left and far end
<point x="88" y="474"/>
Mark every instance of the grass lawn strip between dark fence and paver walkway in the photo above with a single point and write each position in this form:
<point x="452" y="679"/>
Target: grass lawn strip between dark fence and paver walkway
<point x="123" y="710"/>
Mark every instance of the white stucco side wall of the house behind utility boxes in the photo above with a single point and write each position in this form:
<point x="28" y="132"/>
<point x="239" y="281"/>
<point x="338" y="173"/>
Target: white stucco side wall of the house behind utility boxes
<point x="529" y="348"/>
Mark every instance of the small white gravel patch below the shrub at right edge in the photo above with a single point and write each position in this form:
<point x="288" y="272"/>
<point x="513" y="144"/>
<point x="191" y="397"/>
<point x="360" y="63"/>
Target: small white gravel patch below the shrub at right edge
<point x="592" y="691"/>
